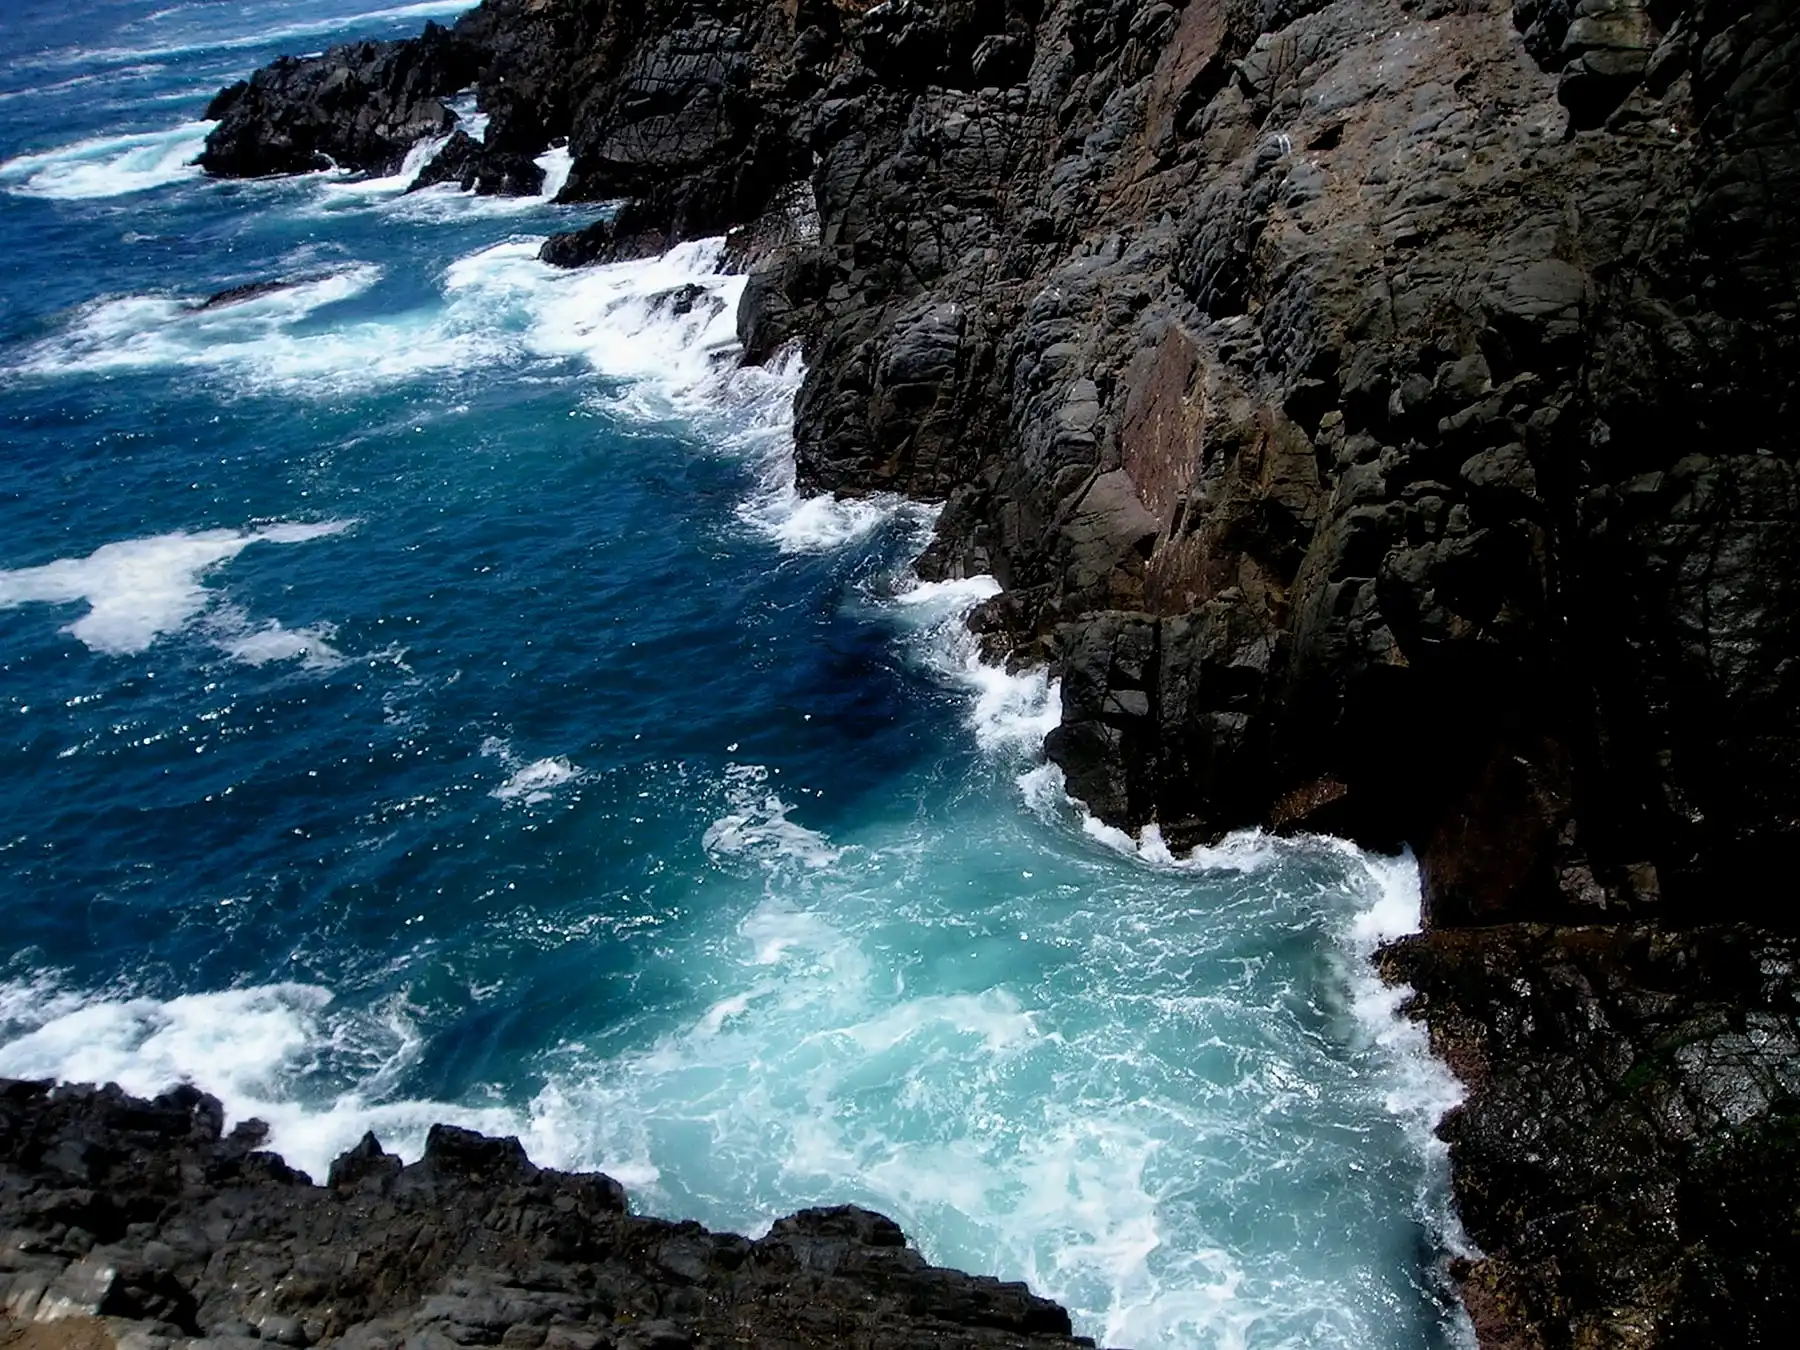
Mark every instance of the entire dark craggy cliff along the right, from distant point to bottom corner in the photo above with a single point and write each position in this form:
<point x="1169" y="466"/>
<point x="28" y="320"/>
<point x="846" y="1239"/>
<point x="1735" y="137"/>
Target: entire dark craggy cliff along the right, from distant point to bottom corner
<point x="1381" y="415"/>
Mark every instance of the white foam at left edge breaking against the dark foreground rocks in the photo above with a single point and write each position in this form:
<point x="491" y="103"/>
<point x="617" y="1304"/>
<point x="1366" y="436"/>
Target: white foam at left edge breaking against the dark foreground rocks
<point x="285" y="1054"/>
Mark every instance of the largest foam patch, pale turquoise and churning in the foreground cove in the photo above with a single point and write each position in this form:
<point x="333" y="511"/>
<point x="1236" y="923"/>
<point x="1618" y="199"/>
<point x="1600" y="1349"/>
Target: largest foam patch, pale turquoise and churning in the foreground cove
<point x="818" y="1075"/>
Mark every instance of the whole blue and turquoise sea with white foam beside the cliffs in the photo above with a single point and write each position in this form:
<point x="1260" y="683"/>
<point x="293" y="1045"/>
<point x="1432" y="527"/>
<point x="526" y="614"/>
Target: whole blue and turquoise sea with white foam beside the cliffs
<point x="424" y="697"/>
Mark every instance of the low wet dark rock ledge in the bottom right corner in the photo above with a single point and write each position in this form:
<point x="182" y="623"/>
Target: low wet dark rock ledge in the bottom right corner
<point x="1630" y="1153"/>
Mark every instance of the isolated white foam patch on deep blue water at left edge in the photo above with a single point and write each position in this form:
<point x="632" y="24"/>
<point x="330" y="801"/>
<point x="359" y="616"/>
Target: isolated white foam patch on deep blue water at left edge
<point x="145" y="588"/>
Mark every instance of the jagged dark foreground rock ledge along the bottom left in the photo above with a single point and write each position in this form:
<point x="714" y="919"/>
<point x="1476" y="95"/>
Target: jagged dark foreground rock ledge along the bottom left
<point x="147" y="1228"/>
